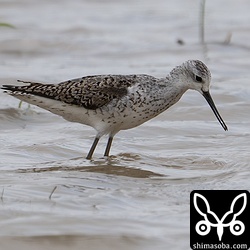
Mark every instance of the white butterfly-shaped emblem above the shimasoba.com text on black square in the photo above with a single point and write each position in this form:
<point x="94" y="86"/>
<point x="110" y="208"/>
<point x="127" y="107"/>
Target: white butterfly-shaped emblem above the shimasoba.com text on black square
<point x="203" y="227"/>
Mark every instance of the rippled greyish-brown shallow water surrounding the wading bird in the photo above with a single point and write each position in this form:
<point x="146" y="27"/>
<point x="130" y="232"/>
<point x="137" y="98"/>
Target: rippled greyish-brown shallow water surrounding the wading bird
<point x="139" y="197"/>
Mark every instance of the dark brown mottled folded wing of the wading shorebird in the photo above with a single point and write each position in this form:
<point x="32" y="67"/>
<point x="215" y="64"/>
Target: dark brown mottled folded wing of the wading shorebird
<point x="90" y="92"/>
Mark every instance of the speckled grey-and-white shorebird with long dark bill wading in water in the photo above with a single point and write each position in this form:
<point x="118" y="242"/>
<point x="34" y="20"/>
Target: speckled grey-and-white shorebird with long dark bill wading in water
<point x="110" y="103"/>
